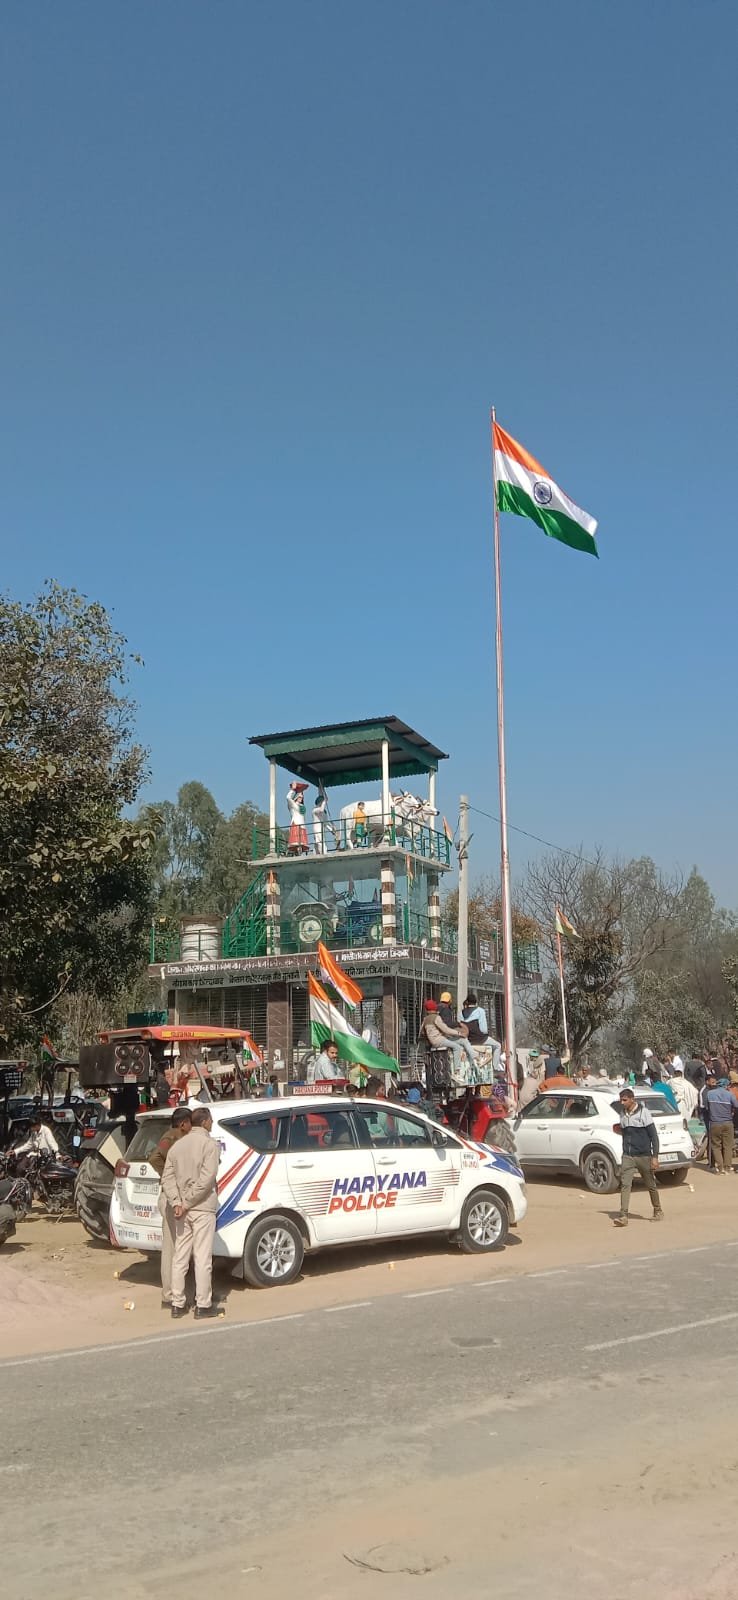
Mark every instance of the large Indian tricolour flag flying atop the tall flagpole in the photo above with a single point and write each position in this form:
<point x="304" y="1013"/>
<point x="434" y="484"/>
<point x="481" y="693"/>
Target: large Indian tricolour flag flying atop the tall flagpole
<point x="526" y="489"/>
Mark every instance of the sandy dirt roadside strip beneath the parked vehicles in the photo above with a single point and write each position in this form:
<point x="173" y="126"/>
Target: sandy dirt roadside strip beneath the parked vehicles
<point x="62" y="1290"/>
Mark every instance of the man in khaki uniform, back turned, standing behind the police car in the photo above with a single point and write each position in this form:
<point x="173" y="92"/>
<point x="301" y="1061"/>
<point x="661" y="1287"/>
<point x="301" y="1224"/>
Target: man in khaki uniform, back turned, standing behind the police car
<point x="190" y="1185"/>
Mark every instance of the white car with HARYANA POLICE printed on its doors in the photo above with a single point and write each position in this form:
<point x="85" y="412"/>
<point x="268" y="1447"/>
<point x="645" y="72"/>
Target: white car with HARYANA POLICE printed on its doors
<point x="310" y="1172"/>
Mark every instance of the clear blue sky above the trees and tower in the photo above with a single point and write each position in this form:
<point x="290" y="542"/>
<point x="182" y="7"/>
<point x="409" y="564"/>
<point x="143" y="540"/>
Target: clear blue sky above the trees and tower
<point x="265" y="271"/>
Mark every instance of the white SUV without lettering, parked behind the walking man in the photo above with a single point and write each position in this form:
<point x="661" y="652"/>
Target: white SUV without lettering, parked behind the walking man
<point x="576" y="1132"/>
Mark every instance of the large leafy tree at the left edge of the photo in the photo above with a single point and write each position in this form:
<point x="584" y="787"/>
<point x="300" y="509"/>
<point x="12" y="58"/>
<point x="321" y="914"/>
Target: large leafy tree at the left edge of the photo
<point x="74" y="868"/>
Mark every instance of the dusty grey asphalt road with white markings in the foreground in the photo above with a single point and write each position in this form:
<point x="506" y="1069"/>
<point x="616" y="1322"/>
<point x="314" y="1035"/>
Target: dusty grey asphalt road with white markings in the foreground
<point x="206" y="1455"/>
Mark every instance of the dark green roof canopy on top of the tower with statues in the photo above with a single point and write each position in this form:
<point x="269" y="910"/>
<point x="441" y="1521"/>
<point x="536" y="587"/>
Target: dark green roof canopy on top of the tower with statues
<point x="350" y="753"/>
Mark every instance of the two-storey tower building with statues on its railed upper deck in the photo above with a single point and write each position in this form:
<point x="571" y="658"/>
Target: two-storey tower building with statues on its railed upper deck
<point x="353" y="855"/>
